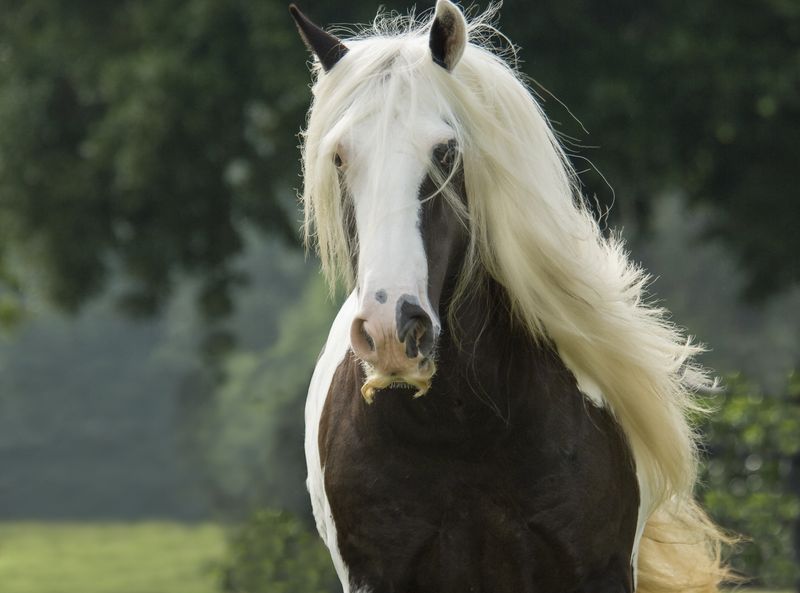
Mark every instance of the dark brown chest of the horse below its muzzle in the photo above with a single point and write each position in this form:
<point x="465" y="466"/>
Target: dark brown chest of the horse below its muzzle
<point x="443" y="494"/>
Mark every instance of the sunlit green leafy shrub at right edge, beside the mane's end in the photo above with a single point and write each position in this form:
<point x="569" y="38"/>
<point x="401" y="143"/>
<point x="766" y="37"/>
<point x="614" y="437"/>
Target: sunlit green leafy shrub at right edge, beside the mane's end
<point x="746" y="482"/>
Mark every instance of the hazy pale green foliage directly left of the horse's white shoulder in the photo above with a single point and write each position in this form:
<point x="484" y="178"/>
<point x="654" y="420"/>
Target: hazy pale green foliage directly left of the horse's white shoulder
<point x="253" y="432"/>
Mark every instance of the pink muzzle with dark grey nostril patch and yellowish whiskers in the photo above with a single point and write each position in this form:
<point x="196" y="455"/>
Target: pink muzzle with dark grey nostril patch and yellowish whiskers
<point x="395" y="344"/>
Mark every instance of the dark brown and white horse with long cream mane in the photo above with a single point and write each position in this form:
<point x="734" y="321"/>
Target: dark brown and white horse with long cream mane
<point x="498" y="408"/>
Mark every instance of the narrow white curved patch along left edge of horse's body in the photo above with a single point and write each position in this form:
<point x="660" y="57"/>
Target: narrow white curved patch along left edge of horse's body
<point x="335" y="350"/>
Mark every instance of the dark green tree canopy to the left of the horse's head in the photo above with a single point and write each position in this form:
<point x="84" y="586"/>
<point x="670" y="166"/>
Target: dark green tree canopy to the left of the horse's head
<point x="137" y="136"/>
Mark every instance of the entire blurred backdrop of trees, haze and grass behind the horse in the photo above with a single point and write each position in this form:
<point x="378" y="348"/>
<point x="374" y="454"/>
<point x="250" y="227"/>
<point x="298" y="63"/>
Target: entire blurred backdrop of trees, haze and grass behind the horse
<point x="159" y="321"/>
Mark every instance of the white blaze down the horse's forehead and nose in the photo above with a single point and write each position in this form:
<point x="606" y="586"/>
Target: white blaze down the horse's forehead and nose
<point x="384" y="168"/>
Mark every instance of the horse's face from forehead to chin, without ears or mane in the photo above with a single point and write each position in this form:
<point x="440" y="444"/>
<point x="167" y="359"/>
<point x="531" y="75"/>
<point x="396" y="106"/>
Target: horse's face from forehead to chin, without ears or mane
<point x="407" y="236"/>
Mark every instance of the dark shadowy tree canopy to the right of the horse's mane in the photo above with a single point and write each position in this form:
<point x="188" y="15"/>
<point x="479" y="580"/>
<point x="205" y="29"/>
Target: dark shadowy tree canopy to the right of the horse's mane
<point x="700" y="97"/>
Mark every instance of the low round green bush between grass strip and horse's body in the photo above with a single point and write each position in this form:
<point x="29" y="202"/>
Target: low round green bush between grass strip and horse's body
<point x="274" y="552"/>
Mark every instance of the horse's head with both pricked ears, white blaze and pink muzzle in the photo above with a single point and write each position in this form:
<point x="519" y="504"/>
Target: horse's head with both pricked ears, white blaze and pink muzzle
<point x="393" y="158"/>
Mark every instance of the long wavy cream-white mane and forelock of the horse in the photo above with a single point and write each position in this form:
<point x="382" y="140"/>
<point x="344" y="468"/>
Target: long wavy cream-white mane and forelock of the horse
<point x="532" y="232"/>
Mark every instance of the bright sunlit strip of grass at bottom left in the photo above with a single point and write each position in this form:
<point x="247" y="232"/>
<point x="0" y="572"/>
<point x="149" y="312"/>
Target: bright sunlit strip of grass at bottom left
<point x="152" y="557"/>
